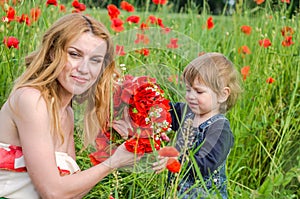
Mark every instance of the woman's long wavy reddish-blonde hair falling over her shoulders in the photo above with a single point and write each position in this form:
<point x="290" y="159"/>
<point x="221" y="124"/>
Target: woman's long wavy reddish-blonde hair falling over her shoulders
<point x="46" y="63"/>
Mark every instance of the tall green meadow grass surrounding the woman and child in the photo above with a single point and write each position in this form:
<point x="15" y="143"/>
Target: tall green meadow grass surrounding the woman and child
<point x="265" y="160"/>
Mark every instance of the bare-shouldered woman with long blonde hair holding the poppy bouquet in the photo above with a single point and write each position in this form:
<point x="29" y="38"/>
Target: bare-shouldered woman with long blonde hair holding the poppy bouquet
<point x="37" y="154"/>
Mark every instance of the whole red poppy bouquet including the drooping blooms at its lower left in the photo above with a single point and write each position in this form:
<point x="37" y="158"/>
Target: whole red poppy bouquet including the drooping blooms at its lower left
<point x="150" y="119"/>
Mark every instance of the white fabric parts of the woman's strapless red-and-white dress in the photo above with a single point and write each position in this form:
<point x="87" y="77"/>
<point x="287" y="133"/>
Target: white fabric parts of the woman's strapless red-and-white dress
<point x="18" y="185"/>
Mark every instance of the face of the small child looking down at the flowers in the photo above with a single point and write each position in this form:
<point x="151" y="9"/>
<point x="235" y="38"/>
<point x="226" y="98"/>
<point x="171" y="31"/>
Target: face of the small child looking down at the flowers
<point x="202" y="100"/>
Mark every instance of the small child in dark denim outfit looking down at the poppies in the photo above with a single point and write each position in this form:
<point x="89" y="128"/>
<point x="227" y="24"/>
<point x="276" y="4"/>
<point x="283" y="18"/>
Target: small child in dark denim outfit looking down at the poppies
<point x="204" y="137"/>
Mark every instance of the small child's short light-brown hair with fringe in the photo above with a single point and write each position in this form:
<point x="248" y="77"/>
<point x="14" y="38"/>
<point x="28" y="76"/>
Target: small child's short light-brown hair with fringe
<point x="215" y="71"/>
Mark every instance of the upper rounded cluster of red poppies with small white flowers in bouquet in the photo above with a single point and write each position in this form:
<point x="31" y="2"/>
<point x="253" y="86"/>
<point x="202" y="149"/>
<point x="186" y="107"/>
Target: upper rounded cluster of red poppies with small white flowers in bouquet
<point x="148" y="110"/>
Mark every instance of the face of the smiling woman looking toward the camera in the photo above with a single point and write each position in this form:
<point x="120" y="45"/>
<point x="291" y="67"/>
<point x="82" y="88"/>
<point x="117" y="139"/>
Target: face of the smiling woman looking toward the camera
<point x="85" y="60"/>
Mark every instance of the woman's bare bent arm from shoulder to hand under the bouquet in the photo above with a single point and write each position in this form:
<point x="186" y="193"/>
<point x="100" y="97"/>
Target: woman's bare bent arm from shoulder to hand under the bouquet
<point x="32" y="120"/>
